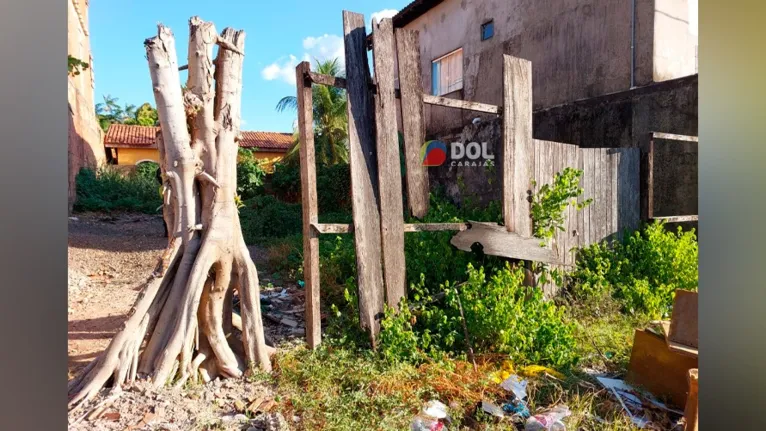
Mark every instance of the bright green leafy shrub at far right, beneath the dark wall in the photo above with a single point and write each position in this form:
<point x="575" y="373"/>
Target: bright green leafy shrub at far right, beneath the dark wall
<point x="643" y="270"/>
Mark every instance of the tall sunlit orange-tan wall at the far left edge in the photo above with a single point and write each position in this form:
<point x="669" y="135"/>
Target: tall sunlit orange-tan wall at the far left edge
<point x="85" y="140"/>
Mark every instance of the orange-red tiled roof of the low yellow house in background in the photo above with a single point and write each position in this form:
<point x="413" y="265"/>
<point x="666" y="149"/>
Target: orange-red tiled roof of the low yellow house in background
<point x="130" y="136"/>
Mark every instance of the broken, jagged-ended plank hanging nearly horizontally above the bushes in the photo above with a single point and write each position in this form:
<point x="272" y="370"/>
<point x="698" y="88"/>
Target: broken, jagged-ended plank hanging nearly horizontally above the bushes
<point x="497" y="241"/>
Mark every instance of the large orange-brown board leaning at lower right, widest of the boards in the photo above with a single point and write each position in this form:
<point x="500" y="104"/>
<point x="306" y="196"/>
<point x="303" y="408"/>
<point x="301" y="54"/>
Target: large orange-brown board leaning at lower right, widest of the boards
<point x="658" y="369"/>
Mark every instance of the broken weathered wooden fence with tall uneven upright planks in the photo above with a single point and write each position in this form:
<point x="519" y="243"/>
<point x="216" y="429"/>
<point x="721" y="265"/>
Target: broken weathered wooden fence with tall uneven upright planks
<point x="610" y="176"/>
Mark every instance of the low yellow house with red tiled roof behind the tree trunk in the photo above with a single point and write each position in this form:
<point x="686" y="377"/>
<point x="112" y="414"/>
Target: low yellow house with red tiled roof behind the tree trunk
<point x="129" y="145"/>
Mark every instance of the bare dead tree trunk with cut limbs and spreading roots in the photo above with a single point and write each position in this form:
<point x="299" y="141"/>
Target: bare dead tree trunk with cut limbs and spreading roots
<point x="178" y="327"/>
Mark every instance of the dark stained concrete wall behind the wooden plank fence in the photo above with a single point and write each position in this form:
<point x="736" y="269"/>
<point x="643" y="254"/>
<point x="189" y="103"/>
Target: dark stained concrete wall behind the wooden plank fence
<point x="617" y="120"/>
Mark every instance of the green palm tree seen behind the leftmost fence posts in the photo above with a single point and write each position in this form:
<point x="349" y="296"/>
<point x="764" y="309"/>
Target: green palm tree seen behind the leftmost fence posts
<point x="330" y="118"/>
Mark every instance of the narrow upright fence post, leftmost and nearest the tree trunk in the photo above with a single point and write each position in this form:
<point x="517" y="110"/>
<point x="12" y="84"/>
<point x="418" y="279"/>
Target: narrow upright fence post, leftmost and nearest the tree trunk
<point x="309" y="206"/>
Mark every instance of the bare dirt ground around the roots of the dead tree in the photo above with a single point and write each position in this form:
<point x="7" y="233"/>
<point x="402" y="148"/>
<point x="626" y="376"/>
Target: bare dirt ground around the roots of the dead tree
<point x="109" y="257"/>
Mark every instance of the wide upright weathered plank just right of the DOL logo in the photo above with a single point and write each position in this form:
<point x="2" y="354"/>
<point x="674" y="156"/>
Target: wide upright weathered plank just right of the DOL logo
<point x="518" y="146"/>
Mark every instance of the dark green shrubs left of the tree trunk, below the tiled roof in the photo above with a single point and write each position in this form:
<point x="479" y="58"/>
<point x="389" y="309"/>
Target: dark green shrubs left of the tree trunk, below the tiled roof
<point x="110" y="190"/>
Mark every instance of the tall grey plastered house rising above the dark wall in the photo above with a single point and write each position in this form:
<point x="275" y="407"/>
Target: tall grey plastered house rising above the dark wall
<point x="578" y="48"/>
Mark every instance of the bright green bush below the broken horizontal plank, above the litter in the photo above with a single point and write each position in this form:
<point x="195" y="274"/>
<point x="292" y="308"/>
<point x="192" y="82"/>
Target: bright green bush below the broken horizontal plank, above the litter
<point x="501" y="314"/>
